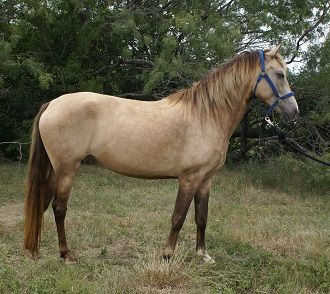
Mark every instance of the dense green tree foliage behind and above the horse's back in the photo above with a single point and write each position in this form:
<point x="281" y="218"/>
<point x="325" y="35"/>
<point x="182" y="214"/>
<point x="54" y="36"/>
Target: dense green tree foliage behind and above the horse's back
<point x="149" y="48"/>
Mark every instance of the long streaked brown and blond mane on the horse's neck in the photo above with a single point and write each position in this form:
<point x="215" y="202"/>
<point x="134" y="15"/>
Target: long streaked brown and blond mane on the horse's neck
<point x="207" y="97"/>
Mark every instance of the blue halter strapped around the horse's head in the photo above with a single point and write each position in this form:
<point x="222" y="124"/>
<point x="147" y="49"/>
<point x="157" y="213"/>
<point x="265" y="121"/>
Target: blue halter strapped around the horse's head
<point x="264" y="75"/>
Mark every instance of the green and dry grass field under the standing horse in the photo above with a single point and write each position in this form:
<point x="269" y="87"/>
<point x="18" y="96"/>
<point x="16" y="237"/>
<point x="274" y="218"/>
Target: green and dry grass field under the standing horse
<point x="267" y="235"/>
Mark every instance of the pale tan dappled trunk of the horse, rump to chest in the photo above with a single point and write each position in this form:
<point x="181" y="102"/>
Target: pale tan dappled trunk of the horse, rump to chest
<point x="142" y="139"/>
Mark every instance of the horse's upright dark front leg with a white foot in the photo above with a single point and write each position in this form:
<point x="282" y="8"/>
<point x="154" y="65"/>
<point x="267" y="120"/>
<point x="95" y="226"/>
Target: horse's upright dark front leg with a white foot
<point x="201" y="200"/>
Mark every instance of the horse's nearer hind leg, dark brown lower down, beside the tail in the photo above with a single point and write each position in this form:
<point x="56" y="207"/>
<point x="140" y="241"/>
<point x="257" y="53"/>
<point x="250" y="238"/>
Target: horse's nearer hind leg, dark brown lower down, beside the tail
<point x="64" y="184"/>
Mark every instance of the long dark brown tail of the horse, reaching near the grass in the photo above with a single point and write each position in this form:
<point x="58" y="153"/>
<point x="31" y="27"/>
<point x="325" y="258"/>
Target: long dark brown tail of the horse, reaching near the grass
<point x="39" y="169"/>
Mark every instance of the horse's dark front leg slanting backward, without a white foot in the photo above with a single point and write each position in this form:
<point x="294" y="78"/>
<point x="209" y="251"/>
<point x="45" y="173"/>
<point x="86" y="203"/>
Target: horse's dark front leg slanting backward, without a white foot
<point x="187" y="189"/>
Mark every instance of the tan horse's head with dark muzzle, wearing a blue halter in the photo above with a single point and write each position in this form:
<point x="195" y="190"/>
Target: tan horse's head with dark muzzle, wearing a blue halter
<point x="272" y="86"/>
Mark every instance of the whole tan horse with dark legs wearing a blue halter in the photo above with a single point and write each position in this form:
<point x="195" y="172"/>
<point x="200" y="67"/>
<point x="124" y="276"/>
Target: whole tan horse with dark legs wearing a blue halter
<point x="183" y="136"/>
